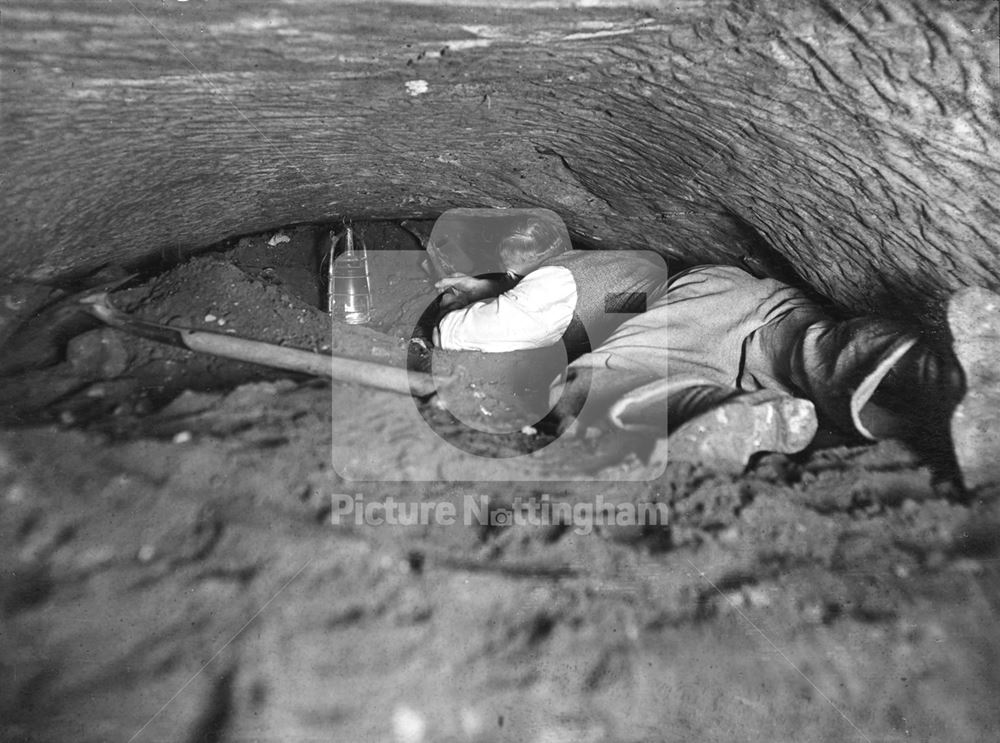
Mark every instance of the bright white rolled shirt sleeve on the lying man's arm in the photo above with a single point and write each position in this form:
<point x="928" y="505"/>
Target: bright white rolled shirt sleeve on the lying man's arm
<point x="533" y="314"/>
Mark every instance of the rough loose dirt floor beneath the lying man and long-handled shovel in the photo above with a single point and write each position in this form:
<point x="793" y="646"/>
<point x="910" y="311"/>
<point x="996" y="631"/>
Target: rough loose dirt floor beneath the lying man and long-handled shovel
<point x="173" y="569"/>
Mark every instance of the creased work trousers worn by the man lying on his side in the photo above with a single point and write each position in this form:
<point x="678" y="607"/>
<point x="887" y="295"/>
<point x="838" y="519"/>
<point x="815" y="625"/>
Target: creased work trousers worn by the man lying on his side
<point x="721" y="327"/>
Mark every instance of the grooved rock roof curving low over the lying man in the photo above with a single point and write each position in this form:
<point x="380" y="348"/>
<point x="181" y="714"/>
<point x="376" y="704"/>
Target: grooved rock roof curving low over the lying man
<point x="859" y="143"/>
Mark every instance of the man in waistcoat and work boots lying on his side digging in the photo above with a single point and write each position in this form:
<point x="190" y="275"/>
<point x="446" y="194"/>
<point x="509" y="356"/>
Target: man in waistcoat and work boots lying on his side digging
<point x="728" y="364"/>
